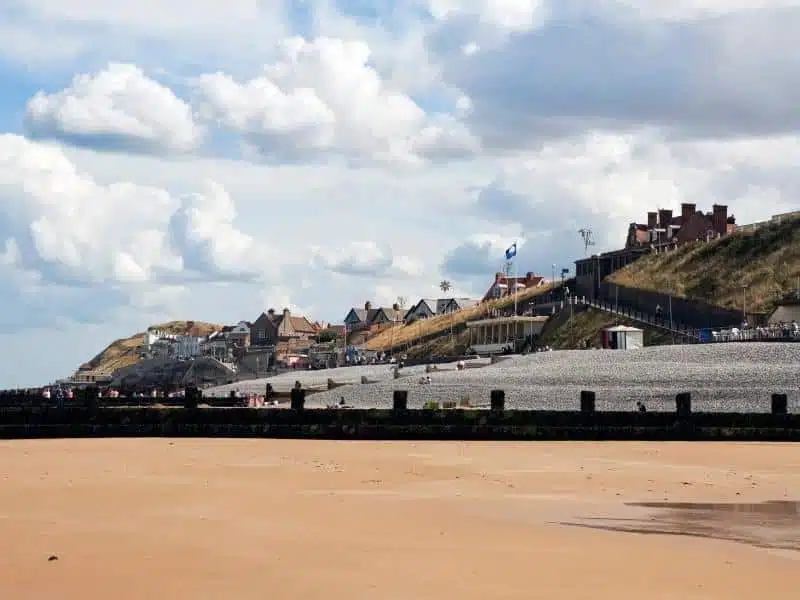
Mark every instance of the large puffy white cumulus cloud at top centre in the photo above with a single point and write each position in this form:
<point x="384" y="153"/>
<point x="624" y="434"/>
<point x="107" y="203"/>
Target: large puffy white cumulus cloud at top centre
<point x="323" y="95"/>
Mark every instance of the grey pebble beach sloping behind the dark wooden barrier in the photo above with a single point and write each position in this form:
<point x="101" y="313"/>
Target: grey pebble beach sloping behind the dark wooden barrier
<point x="721" y="377"/>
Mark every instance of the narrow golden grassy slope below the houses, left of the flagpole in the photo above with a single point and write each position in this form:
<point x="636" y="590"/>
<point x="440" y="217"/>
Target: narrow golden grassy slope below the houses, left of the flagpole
<point x="407" y="334"/>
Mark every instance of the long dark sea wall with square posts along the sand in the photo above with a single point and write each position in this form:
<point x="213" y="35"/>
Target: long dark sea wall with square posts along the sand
<point x="584" y="423"/>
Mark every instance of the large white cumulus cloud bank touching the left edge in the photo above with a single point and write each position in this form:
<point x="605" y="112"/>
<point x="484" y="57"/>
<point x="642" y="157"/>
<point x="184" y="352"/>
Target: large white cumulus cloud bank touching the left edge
<point x="61" y="227"/>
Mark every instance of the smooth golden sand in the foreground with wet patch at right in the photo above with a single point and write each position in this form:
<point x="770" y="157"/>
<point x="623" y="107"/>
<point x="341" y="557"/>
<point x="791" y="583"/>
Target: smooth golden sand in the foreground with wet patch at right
<point x="241" y="519"/>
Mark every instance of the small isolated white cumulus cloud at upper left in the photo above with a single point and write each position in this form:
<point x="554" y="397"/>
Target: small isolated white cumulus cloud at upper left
<point x="118" y="108"/>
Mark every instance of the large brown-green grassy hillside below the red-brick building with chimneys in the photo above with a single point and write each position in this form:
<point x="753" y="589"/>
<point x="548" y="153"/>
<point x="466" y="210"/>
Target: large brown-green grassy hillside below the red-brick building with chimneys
<point x="767" y="261"/>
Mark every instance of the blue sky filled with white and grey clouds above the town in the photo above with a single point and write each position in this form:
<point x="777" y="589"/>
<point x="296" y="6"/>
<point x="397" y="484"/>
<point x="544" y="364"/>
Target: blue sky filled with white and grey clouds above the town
<point x="206" y="160"/>
